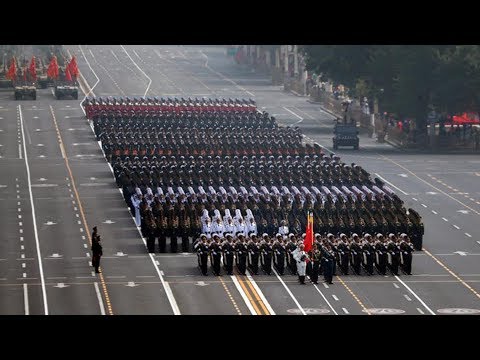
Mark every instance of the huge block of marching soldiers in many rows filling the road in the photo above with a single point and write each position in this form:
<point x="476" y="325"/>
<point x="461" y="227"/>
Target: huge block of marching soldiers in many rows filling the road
<point x="223" y="169"/>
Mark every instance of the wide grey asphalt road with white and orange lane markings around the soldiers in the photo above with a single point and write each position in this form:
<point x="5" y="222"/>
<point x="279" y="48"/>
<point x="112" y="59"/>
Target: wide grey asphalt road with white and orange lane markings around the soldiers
<point x="72" y="189"/>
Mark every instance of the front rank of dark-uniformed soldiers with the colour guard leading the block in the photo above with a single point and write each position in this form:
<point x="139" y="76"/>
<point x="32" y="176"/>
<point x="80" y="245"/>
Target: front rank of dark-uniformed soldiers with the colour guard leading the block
<point x="329" y="256"/>
